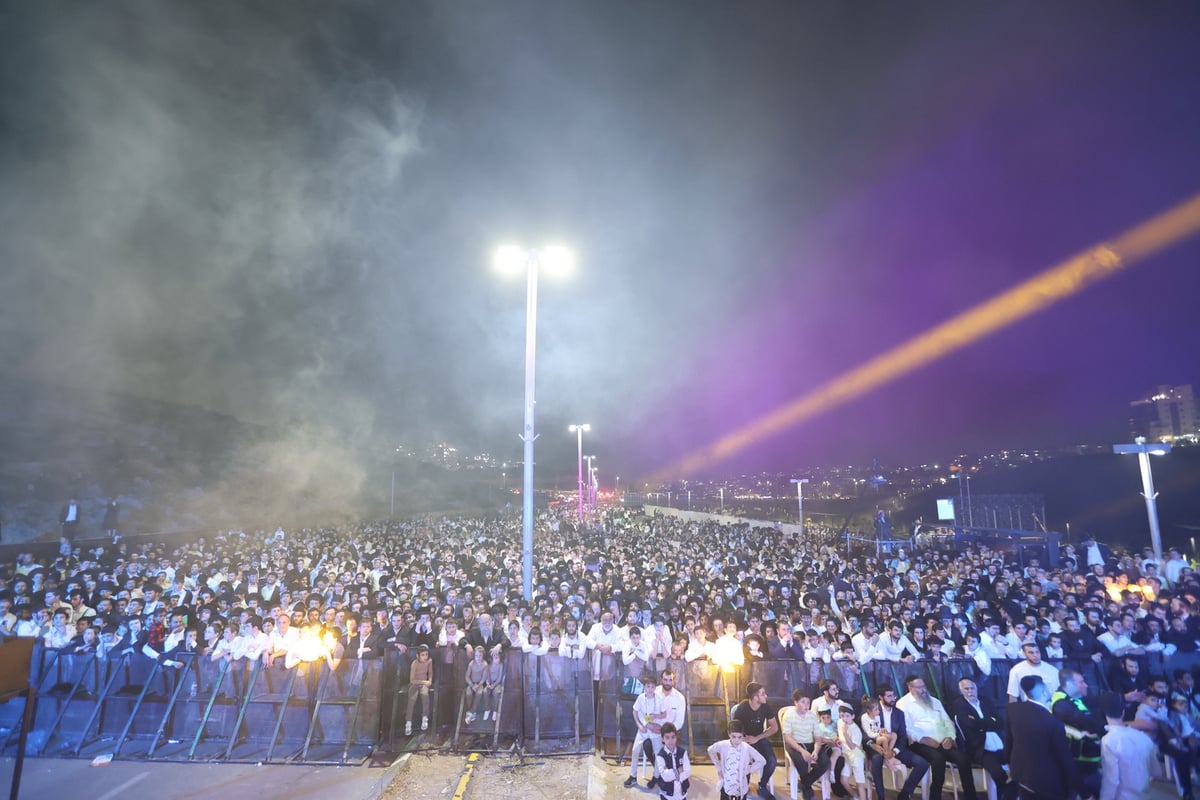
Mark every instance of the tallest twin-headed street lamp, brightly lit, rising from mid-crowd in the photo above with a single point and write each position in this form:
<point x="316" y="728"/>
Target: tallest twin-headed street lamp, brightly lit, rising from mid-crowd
<point x="513" y="260"/>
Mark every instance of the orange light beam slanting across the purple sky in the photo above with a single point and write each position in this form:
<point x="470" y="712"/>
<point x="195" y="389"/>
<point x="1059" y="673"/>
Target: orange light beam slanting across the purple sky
<point x="1027" y="299"/>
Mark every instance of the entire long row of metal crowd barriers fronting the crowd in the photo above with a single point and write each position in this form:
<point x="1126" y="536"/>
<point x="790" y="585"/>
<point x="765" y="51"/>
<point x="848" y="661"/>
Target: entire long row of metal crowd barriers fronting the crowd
<point x="339" y="712"/>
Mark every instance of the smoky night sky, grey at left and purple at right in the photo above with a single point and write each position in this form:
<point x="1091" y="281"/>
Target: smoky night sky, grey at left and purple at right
<point x="286" y="212"/>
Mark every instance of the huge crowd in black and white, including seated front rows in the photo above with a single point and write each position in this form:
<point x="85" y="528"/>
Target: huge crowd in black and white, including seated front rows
<point x="651" y="592"/>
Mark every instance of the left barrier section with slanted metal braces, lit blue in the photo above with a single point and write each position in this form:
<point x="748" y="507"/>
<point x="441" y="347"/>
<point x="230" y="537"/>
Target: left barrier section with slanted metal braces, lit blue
<point x="135" y="707"/>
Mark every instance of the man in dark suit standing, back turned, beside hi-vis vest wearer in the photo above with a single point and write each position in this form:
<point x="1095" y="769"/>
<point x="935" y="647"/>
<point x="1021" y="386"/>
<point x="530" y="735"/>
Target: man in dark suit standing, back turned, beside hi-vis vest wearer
<point x="1036" y="745"/>
